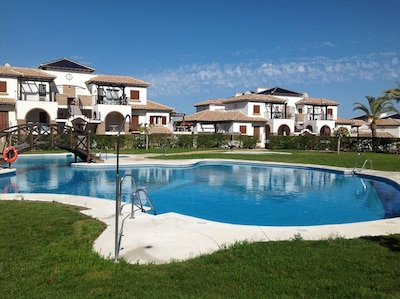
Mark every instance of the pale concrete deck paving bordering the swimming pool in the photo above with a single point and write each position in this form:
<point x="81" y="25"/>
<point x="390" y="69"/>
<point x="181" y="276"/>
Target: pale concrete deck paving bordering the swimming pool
<point x="167" y="237"/>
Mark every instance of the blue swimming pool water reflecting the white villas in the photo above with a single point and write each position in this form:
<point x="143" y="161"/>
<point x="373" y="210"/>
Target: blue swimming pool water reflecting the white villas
<point x="234" y="192"/>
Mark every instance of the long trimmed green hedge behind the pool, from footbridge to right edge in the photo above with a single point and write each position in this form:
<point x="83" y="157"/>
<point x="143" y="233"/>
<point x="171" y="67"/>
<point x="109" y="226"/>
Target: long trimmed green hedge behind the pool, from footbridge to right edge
<point x="142" y="141"/>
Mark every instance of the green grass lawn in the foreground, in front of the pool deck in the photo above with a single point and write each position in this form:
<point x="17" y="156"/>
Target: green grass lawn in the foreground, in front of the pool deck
<point x="46" y="252"/>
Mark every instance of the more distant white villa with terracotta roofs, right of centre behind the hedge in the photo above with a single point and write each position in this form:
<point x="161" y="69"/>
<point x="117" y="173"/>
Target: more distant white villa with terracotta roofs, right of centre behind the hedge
<point x="274" y="111"/>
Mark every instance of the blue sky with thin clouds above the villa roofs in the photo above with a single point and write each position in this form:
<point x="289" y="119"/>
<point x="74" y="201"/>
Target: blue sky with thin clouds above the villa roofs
<point x="195" y="50"/>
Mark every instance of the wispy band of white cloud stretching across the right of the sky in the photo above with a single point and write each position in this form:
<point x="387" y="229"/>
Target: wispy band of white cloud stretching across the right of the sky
<point x="198" y="78"/>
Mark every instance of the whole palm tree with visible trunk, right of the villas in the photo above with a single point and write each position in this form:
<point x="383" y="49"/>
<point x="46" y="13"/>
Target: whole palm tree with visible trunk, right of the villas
<point x="377" y="106"/>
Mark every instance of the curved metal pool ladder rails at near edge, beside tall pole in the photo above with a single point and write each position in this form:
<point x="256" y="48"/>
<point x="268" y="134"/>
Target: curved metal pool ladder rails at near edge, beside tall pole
<point x="139" y="198"/>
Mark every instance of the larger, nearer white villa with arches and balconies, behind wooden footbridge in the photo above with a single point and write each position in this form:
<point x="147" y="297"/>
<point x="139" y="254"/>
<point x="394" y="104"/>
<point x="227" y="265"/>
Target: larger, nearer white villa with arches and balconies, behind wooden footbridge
<point x="70" y="93"/>
